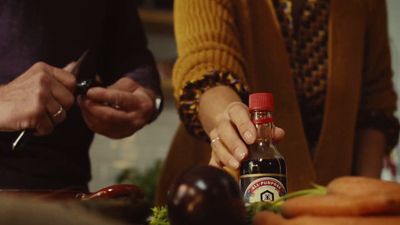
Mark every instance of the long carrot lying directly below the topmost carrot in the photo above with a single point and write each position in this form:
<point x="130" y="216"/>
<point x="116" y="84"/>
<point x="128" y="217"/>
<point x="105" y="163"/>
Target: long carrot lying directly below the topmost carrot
<point x="335" y="205"/>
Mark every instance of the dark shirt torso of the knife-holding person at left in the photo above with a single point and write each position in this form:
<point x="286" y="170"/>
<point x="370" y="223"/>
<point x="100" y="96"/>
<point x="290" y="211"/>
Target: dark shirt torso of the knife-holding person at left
<point x="55" y="32"/>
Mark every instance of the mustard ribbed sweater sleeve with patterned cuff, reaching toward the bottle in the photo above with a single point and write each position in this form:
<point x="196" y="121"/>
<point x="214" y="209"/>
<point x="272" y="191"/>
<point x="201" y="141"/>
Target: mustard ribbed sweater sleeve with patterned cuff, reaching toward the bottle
<point x="208" y="49"/>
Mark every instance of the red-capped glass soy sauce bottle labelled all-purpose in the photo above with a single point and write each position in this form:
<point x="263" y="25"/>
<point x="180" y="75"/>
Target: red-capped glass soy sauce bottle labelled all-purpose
<point x="263" y="171"/>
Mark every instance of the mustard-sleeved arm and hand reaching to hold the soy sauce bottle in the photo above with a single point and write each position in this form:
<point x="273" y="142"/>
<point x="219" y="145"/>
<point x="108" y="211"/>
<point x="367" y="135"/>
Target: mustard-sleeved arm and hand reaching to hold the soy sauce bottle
<point x="209" y="78"/>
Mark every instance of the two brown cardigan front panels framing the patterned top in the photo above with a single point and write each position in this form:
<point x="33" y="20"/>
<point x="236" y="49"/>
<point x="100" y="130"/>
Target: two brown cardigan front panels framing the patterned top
<point x="268" y="68"/>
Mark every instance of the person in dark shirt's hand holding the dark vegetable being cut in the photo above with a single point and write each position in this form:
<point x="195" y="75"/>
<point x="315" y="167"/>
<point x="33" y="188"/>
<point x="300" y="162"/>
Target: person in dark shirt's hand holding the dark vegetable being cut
<point x="119" y="110"/>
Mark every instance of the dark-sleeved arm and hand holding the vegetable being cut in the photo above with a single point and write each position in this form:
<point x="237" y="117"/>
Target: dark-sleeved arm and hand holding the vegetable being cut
<point x="129" y="68"/>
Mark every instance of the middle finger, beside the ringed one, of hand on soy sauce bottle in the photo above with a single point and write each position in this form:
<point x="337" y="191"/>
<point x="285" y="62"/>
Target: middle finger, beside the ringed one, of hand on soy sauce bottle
<point x="231" y="140"/>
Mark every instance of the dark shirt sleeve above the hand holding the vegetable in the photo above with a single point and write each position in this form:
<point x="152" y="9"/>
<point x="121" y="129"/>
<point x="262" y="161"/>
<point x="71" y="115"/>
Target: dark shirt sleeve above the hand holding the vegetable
<point x="123" y="49"/>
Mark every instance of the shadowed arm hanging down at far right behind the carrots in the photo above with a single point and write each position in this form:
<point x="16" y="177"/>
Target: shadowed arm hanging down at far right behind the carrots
<point x="378" y="129"/>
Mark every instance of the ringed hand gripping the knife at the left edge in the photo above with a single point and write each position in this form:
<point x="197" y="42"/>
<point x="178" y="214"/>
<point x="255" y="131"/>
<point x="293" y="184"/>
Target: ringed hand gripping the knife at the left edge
<point x="37" y="99"/>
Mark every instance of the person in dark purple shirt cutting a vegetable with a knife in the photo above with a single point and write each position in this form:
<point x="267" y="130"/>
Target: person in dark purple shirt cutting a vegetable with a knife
<point x="39" y="42"/>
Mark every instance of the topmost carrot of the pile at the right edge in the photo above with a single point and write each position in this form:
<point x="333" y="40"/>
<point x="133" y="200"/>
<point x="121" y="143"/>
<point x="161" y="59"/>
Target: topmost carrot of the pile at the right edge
<point x="362" y="186"/>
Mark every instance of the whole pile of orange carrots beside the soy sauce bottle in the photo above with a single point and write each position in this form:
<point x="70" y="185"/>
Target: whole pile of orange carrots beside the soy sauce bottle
<point x="348" y="201"/>
